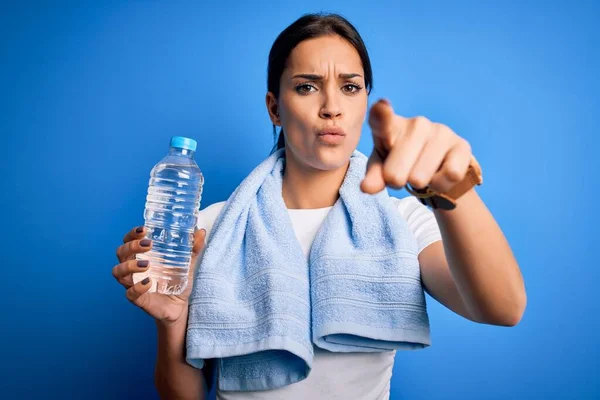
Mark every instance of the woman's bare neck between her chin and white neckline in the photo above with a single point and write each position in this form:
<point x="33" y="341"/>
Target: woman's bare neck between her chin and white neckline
<point x="305" y="187"/>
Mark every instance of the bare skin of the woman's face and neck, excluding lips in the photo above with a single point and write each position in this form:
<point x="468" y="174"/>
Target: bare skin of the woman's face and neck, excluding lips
<point x="315" y="171"/>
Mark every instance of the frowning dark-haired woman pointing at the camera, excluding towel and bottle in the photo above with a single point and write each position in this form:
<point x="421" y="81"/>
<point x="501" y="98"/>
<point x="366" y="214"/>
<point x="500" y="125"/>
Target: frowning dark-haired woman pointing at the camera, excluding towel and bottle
<point x="319" y="77"/>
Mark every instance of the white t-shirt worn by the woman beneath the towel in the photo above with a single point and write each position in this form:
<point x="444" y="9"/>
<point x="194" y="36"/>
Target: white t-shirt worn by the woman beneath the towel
<point x="347" y="376"/>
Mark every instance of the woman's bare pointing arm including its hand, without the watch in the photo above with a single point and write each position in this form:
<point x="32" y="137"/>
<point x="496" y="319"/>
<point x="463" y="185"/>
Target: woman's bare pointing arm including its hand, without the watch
<point x="472" y="271"/>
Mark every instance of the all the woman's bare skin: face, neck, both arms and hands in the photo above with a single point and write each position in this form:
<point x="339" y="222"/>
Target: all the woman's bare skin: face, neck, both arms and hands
<point x="472" y="271"/>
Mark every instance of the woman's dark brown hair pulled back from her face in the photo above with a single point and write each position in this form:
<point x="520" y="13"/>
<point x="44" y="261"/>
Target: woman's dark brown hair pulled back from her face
<point x="310" y="26"/>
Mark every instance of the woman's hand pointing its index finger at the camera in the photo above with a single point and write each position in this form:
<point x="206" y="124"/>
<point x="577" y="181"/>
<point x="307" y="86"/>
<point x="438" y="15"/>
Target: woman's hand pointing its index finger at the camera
<point x="414" y="151"/>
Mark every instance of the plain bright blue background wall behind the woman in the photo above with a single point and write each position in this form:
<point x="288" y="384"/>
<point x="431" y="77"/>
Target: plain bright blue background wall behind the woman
<point x="92" y="92"/>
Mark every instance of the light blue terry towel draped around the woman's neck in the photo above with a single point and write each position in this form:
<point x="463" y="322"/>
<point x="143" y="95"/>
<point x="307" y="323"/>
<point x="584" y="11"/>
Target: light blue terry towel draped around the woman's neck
<point x="259" y="306"/>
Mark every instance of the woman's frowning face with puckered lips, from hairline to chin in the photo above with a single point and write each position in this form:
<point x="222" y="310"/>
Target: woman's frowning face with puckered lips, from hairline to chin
<point x="323" y="102"/>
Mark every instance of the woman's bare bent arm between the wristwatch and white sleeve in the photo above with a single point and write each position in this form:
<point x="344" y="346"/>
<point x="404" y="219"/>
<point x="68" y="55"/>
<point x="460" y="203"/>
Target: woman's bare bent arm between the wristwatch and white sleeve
<point x="472" y="270"/>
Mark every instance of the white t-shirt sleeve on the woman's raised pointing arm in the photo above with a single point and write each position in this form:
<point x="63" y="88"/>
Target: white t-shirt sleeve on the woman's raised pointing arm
<point x="420" y="219"/>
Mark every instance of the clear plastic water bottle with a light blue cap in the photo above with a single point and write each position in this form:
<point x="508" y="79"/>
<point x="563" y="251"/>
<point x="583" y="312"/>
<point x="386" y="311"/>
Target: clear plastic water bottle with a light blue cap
<point x="171" y="213"/>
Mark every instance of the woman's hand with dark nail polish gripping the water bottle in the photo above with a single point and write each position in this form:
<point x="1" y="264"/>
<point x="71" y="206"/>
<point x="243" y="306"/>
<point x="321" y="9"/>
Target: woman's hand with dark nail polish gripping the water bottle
<point x="167" y="309"/>
